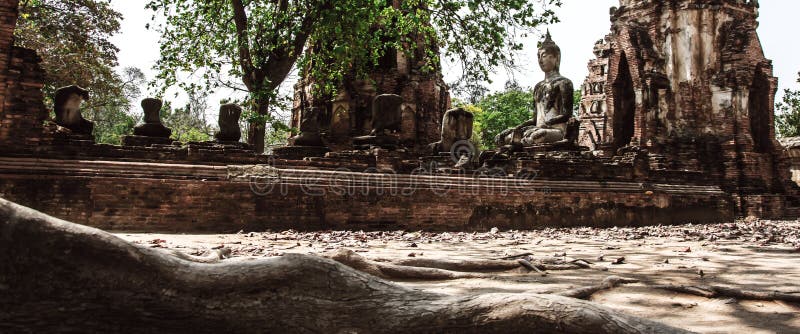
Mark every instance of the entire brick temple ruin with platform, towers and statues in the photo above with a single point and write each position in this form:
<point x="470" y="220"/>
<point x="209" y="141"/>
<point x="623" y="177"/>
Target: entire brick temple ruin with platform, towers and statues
<point x="665" y="137"/>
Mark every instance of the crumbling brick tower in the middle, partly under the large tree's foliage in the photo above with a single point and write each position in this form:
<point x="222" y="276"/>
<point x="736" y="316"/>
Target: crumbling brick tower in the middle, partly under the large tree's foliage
<point x="425" y="96"/>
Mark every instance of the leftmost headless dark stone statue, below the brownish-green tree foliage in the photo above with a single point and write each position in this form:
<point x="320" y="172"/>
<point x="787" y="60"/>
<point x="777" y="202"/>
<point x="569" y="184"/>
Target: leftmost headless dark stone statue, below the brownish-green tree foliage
<point x="67" y="108"/>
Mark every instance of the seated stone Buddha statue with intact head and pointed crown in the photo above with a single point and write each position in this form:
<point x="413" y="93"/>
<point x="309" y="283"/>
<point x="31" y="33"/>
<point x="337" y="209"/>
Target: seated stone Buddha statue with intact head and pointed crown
<point x="553" y="105"/>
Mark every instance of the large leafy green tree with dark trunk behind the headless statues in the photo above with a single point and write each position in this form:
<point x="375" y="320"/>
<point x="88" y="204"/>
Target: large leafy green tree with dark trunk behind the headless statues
<point x="251" y="45"/>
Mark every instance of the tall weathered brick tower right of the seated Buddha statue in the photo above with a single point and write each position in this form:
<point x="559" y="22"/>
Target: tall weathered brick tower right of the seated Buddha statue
<point x="688" y="81"/>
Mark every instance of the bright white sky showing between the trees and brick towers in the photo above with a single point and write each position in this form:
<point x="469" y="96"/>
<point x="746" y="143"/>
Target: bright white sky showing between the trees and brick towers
<point x="582" y="23"/>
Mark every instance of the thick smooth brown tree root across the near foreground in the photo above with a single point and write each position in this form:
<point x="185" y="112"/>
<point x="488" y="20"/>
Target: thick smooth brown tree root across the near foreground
<point x="57" y="276"/>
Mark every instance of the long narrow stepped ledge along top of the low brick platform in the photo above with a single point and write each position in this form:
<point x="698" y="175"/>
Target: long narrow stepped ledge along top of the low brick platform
<point x="328" y="178"/>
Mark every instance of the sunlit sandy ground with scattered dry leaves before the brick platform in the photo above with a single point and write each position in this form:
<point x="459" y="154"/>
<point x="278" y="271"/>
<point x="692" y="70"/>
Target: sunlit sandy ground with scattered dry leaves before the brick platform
<point x="752" y="255"/>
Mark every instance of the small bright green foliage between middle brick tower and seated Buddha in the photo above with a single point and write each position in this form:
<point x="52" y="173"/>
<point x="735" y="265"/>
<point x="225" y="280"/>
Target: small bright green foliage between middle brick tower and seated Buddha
<point x="499" y="111"/>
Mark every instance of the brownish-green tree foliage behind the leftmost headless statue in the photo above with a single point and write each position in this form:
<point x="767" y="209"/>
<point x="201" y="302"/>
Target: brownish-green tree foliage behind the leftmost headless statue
<point x="72" y="37"/>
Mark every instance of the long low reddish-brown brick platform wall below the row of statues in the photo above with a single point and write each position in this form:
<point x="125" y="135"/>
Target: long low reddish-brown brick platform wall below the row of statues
<point x="153" y="197"/>
